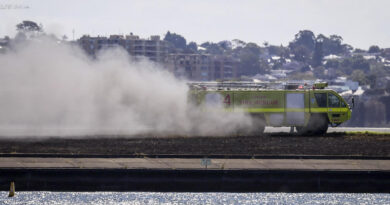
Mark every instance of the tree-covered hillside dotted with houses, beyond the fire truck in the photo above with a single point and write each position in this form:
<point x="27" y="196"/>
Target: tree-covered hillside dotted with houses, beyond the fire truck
<point x="318" y="56"/>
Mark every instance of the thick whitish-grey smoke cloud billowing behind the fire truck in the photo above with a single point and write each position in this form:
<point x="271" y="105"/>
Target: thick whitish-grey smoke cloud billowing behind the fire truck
<point x="48" y="88"/>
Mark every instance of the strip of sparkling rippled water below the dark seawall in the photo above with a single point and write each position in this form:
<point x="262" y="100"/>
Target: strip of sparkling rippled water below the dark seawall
<point x="75" y="198"/>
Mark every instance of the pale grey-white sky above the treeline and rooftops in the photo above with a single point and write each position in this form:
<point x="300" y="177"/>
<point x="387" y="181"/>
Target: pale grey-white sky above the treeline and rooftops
<point x="361" y="23"/>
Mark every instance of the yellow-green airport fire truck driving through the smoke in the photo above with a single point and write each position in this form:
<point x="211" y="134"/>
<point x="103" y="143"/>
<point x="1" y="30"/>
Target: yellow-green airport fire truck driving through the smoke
<point x="308" y="108"/>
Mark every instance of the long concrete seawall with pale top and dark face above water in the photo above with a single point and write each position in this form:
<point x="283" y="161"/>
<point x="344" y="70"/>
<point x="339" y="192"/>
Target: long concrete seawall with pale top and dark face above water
<point x="190" y="174"/>
